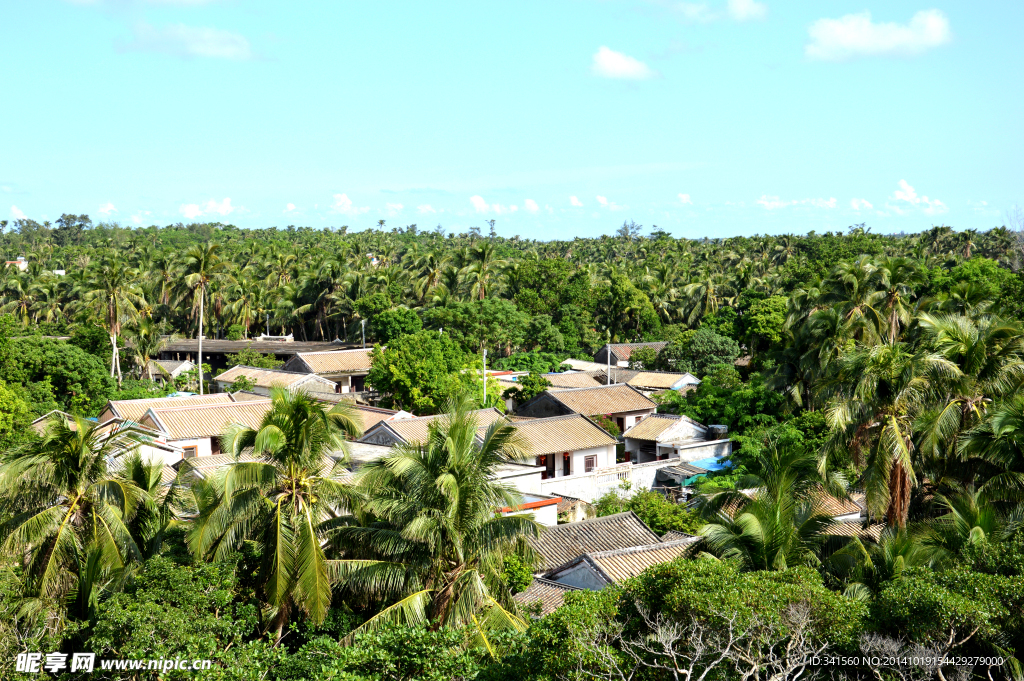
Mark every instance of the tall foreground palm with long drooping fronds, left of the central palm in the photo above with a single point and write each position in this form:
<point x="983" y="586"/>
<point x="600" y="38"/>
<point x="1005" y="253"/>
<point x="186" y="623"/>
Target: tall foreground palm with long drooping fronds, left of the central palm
<point x="286" y="501"/>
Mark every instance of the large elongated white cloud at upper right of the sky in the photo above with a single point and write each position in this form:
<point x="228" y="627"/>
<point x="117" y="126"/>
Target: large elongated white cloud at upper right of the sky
<point x="857" y="35"/>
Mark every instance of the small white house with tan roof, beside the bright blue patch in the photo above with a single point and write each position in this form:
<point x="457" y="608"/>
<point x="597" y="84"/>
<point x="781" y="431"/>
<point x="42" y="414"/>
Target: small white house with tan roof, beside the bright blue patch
<point x="662" y="437"/>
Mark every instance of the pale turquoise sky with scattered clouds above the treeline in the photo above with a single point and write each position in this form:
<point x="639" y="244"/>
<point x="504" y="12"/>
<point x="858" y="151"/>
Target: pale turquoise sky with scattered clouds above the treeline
<point x="557" y="119"/>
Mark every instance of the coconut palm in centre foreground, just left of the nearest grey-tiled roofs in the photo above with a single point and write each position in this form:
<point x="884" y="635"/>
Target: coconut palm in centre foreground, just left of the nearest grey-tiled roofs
<point x="434" y="539"/>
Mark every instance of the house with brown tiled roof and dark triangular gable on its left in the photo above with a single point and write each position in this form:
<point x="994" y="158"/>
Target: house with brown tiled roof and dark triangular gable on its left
<point x="623" y="404"/>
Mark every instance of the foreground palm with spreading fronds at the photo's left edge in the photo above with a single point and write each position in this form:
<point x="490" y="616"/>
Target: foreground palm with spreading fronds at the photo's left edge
<point x="62" y="503"/>
